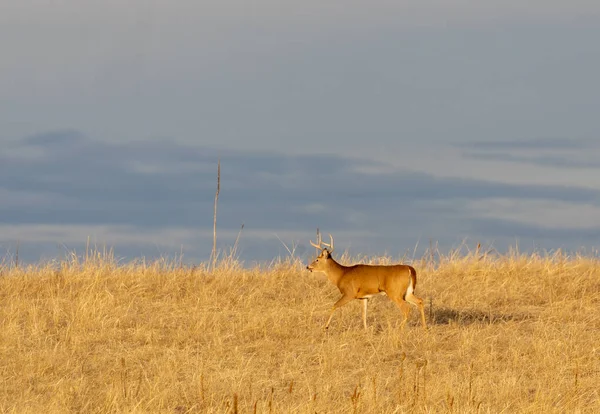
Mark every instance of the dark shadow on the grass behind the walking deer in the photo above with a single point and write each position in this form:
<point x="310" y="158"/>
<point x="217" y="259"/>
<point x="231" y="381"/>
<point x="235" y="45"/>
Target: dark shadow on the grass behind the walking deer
<point x="446" y="316"/>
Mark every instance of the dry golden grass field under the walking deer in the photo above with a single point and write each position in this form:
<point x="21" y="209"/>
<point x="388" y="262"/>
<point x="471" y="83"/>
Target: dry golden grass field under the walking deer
<point x="514" y="334"/>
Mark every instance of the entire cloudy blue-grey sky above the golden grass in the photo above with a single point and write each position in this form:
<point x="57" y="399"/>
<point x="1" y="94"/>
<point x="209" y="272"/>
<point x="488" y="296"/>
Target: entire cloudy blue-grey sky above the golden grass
<point x="389" y="124"/>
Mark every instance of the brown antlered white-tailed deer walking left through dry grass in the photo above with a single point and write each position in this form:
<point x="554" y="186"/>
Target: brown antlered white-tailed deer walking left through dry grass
<point x="364" y="281"/>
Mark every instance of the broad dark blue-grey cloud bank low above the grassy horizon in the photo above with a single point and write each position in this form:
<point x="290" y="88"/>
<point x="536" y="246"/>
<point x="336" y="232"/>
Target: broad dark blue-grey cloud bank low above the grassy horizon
<point x="148" y="196"/>
